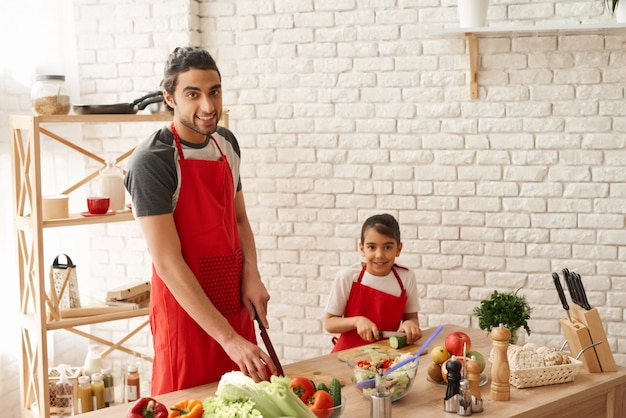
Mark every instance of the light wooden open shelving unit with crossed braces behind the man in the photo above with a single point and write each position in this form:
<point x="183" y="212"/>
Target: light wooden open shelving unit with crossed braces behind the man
<point x="27" y="133"/>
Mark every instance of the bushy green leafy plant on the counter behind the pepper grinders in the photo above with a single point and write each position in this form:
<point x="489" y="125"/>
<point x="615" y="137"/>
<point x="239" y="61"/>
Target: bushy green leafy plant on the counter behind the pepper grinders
<point x="508" y="308"/>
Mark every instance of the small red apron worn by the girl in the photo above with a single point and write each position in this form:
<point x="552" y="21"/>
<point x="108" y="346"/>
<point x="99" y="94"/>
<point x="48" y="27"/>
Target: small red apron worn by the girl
<point x="385" y="310"/>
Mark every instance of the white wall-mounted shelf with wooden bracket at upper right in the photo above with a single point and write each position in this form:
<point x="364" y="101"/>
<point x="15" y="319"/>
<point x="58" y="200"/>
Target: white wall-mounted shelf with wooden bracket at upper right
<point x="473" y="34"/>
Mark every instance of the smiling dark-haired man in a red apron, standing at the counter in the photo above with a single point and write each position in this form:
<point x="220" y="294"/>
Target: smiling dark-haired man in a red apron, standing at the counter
<point x="187" y="197"/>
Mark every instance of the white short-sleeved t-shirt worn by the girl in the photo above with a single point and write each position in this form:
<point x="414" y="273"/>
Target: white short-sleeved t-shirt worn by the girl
<point x="338" y="298"/>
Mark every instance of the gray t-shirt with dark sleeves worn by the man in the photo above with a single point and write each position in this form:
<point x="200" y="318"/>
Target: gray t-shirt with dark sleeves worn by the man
<point x="153" y="174"/>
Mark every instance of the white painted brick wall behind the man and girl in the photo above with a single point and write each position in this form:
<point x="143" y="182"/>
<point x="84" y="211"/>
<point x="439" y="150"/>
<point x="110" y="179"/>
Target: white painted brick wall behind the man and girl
<point x="344" y="110"/>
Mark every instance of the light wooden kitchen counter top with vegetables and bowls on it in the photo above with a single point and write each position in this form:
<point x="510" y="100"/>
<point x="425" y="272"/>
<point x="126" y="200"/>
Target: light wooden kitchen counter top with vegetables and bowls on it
<point x="589" y="395"/>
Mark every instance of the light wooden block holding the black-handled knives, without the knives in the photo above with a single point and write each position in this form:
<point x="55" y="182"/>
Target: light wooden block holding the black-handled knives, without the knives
<point x="586" y="332"/>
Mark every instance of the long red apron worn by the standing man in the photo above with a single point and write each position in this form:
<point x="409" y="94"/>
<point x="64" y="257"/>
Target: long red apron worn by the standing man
<point x="205" y="218"/>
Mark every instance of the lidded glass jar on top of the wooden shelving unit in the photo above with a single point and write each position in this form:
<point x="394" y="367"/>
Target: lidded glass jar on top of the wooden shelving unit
<point x="50" y="95"/>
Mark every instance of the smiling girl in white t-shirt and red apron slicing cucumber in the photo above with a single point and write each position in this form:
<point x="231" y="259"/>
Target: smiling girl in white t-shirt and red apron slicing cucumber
<point x="374" y="296"/>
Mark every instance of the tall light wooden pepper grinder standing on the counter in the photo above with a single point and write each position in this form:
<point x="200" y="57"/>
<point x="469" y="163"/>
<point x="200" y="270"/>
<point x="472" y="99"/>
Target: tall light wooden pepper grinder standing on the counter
<point x="500" y="372"/>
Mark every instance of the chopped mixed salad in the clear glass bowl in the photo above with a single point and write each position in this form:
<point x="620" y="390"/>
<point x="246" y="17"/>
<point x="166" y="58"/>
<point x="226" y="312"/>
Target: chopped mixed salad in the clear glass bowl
<point x="397" y="382"/>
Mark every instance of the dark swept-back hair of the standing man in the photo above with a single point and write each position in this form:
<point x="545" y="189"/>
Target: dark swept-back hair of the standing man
<point x="183" y="59"/>
